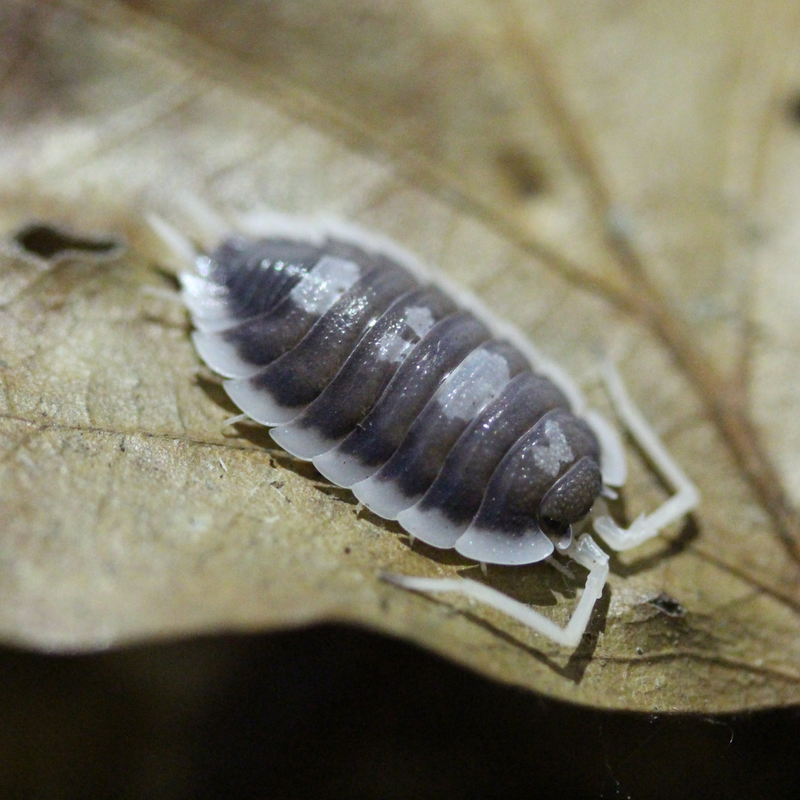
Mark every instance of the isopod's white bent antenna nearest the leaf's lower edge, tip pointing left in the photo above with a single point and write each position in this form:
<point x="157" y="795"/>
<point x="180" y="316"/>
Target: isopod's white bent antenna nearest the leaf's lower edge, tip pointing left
<point x="585" y="552"/>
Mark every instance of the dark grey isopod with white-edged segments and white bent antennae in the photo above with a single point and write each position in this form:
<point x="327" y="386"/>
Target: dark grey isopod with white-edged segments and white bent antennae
<point x="407" y="391"/>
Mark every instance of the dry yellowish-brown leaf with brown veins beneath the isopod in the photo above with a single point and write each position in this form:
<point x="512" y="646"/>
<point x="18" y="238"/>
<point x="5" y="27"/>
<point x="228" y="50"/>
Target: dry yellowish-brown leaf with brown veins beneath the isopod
<point x="605" y="175"/>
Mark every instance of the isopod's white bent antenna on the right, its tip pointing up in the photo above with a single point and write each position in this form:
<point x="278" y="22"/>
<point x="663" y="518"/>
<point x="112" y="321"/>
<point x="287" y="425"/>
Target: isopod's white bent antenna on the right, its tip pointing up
<point x="685" y="496"/>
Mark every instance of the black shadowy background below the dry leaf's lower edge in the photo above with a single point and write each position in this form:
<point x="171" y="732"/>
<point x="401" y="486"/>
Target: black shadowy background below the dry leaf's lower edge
<point x="337" y="712"/>
